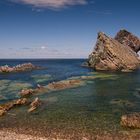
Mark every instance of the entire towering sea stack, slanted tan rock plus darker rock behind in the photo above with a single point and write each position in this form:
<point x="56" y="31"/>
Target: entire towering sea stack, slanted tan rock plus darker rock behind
<point x="119" y="54"/>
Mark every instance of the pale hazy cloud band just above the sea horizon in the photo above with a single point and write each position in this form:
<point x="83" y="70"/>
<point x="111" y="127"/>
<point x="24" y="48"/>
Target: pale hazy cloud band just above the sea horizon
<point x="43" y="51"/>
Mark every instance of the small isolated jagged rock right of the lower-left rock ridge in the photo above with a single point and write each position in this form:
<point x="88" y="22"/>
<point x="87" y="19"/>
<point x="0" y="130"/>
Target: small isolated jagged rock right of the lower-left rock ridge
<point x="34" y="105"/>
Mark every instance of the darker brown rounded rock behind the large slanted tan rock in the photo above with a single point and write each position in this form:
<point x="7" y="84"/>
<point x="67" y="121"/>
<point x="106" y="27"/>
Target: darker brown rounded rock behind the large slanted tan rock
<point x="128" y="39"/>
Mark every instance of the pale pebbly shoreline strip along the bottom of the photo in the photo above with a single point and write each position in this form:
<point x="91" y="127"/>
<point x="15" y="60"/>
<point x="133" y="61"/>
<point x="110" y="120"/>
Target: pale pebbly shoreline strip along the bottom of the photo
<point x="13" y="134"/>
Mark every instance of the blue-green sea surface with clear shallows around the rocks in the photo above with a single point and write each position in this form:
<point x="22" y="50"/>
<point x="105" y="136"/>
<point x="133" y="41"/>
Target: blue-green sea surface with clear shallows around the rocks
<point x="95" y="106"/>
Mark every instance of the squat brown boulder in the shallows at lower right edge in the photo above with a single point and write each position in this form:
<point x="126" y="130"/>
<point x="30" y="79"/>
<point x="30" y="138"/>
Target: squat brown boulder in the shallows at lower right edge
<point x="131" y="120"/>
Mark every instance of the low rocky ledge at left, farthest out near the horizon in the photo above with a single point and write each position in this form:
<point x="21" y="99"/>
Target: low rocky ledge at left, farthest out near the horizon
<point x="18" y="68"/>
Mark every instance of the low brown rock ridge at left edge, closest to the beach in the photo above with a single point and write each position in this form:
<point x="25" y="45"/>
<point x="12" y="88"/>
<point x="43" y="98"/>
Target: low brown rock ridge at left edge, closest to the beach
<point x="7" y="106"/>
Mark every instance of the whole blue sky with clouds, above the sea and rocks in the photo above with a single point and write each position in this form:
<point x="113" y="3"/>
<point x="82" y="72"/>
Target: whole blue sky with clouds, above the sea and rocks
<point x="62" y="28"/>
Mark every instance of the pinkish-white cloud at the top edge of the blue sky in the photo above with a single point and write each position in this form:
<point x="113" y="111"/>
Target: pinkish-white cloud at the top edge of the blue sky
<point x="56" y="4"/>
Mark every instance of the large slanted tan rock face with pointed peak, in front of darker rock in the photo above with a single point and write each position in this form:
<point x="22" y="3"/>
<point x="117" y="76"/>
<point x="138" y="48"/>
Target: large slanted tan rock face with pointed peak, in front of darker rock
<point x="109" y="54"/>
